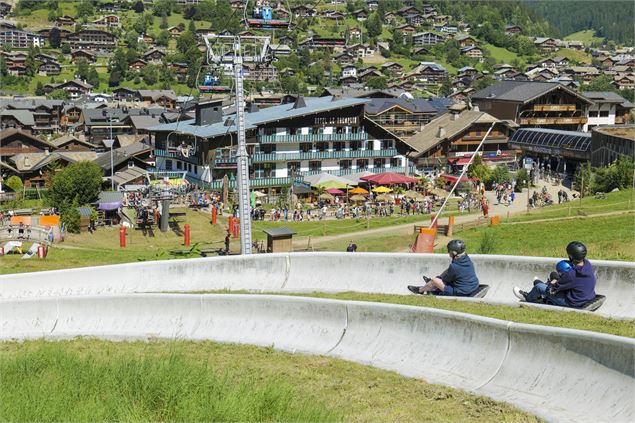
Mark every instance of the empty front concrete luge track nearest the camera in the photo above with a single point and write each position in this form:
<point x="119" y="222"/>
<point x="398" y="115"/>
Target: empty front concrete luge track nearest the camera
<point x="558" y="374"/>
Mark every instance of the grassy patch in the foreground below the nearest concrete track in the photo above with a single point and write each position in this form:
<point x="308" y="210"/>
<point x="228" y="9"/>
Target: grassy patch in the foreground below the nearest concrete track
<point x="90" y="380"/>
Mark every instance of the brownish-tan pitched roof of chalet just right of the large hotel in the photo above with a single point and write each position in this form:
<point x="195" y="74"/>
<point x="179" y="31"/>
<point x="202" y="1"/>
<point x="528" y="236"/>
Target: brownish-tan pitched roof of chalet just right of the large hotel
<point x="429" y="136"/>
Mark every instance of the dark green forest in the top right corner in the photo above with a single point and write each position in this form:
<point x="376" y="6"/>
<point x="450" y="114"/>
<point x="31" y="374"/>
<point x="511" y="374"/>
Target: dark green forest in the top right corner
<point x="611" y="19"/>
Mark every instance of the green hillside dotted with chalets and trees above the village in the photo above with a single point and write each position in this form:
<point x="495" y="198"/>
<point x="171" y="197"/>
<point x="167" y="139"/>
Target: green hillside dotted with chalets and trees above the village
<point x="453" y="37"/>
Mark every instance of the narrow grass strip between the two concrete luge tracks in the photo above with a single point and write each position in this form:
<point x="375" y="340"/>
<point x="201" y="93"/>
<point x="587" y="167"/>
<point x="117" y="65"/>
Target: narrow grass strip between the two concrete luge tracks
<point x="521" y="314"/>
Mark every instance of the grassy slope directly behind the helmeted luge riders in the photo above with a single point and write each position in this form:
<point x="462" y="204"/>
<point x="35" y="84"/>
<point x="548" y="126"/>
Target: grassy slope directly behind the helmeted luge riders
<point x="608" y="237"/>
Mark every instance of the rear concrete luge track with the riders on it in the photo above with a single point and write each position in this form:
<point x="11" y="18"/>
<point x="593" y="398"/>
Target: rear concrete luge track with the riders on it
<point x="305" y="272"/>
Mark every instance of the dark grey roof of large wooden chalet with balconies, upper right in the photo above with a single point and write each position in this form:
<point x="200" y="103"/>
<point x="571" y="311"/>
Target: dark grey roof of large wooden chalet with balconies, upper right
<point x="521" y="91"/>
